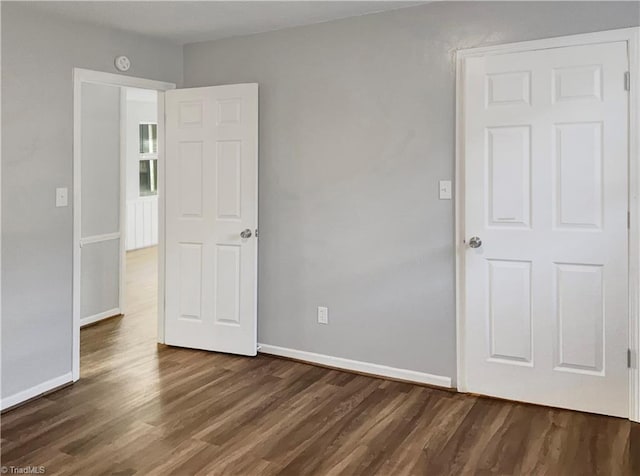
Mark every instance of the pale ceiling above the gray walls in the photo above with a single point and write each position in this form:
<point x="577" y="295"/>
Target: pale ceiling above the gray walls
<point x="188" y="22"/>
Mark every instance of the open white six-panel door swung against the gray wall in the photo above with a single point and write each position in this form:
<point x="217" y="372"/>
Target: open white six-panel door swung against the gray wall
<point x="211" y="208"/>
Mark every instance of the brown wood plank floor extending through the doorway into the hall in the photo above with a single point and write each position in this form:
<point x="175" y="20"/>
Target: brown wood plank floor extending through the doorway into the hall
<point x="143" y="408"/>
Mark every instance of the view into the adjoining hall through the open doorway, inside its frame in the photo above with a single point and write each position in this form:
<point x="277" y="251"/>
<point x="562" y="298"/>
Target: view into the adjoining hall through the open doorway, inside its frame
<point x="120" y="289"/>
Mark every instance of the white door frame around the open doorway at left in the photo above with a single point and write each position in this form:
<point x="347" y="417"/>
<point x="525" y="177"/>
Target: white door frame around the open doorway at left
<point x="97" y="77"/>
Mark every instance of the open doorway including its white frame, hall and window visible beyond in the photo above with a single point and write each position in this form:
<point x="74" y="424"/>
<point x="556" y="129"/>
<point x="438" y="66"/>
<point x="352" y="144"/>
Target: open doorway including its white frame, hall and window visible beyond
<point x="118" y="131"/>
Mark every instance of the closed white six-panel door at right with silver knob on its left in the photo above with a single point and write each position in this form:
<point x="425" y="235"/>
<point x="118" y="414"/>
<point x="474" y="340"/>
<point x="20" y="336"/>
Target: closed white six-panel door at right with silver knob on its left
<point x="546" y="279"/>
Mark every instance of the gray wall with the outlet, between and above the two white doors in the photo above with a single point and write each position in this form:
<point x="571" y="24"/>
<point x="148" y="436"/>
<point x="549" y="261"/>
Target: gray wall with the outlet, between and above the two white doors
<point x="356" y="129"/>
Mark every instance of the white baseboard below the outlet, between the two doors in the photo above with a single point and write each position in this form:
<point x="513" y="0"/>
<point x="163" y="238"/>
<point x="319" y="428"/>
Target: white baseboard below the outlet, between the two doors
<point x="357" y="366"/>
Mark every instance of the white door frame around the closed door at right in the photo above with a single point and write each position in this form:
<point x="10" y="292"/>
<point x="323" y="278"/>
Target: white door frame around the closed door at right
<point x="632" y="37"/>
